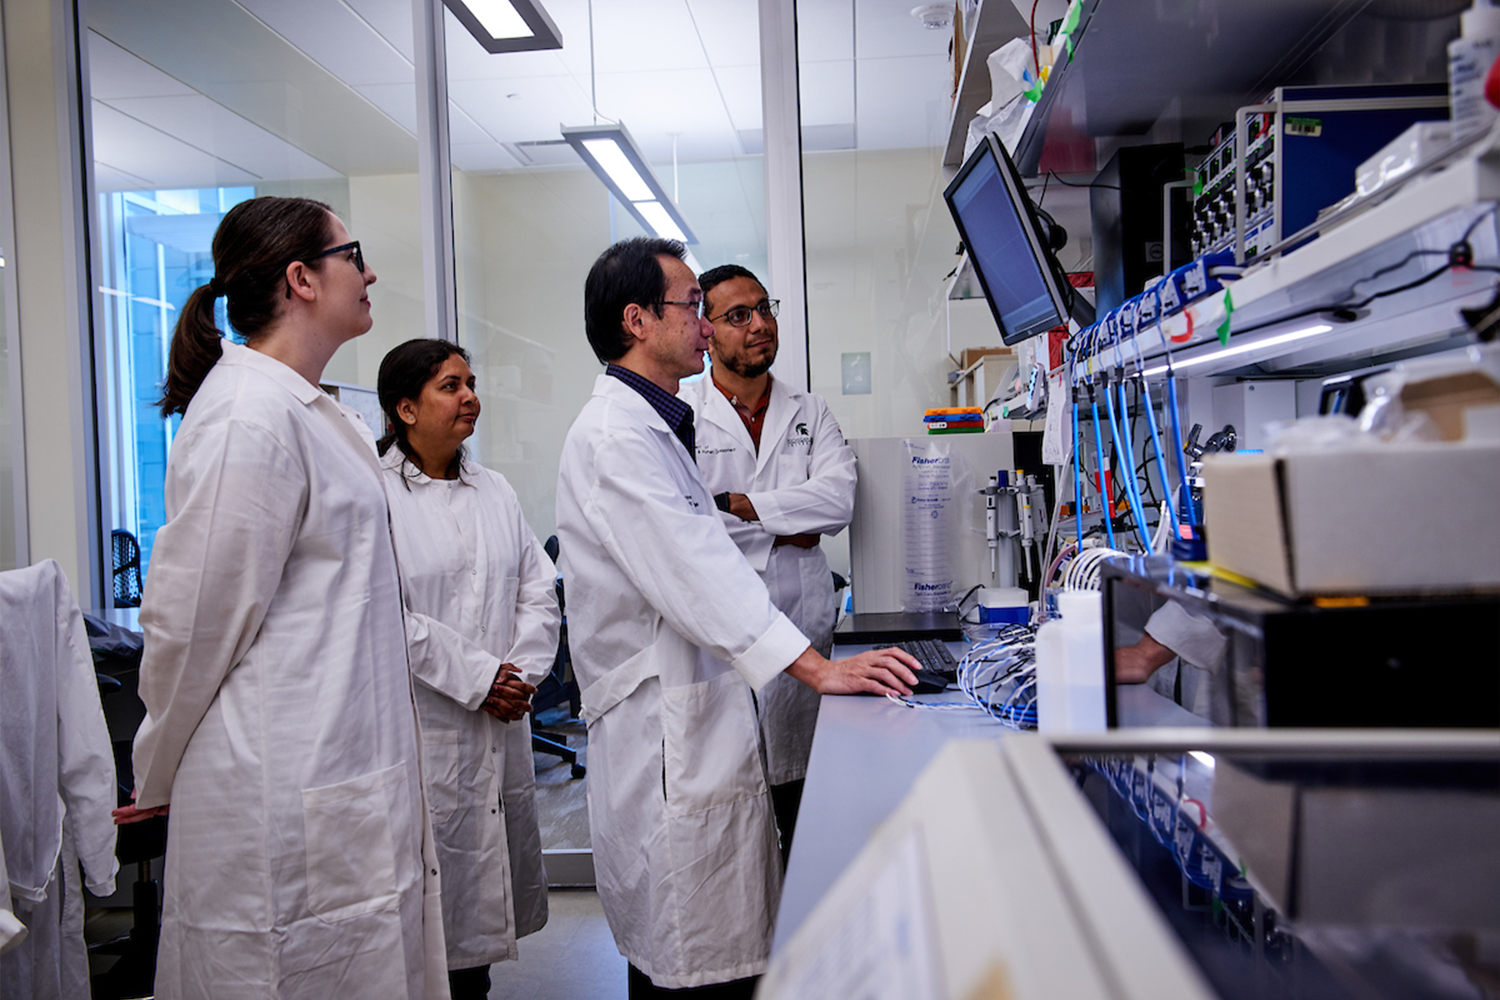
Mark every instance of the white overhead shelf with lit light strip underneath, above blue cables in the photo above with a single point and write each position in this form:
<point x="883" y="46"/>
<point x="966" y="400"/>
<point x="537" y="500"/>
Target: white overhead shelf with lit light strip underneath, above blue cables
<point x="1283" y="311"/>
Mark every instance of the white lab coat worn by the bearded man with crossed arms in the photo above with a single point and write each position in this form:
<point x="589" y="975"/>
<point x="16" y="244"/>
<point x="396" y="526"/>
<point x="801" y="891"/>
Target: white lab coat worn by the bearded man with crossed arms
<point x="802" y="482"/>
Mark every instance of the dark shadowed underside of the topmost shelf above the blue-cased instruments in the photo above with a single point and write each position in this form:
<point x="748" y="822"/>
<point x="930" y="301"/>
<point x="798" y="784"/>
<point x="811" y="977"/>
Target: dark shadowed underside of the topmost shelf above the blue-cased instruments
<point x="1142" y="68"/>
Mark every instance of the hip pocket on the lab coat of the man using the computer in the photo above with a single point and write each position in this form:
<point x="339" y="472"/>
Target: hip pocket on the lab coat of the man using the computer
<point x="712" y="750"/>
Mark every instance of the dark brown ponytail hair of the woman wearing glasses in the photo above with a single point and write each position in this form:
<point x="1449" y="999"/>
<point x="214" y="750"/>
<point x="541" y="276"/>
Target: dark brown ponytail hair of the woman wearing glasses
<point x="251" y="251"/>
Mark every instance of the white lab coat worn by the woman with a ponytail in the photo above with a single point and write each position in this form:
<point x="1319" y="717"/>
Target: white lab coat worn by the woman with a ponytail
<point x="280" y="708"/>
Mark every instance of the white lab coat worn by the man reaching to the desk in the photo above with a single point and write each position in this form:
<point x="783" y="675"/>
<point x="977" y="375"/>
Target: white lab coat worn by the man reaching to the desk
<point x="670" y="630"/>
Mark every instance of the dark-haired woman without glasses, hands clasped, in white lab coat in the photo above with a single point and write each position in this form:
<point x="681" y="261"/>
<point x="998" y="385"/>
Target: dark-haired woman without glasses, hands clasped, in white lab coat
<point x="484" y="630"/>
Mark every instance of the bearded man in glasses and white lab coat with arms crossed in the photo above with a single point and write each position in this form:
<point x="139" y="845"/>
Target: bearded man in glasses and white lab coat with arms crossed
<point x="782" y="475"/>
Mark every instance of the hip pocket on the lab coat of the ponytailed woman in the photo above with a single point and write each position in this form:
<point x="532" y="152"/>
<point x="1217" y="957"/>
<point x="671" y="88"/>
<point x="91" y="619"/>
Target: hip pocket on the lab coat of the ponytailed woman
<point x="352" y="855"/>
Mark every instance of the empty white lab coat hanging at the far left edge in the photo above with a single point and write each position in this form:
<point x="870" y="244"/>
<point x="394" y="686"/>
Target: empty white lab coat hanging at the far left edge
<point x="58" y="785"/>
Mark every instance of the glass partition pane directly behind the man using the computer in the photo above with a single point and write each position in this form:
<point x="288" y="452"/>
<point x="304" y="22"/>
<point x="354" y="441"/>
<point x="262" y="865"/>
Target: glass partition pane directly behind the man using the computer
<point x="530" y="218"/>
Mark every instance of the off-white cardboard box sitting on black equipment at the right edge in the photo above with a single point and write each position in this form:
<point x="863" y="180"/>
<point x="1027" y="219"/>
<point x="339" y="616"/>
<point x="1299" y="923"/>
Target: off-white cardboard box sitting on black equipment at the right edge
<point x="1394" y="519"/>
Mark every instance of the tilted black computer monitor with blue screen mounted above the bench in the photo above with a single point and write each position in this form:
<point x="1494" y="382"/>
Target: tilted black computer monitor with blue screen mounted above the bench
<point x="1021" y="277"/>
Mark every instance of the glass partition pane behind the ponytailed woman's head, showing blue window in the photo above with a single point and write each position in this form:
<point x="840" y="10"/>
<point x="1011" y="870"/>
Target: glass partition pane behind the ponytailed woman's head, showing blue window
<point x="208" y="104"/>
